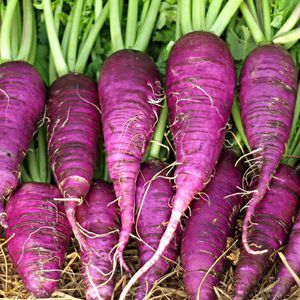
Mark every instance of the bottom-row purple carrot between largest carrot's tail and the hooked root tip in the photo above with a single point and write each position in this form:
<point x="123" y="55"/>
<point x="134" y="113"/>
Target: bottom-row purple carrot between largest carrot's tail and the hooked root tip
<point x="211" y="223"/>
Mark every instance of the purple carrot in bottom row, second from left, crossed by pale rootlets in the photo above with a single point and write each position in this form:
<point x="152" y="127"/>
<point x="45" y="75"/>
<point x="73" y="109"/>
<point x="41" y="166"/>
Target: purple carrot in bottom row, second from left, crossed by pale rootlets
<point x="100" y="215"/>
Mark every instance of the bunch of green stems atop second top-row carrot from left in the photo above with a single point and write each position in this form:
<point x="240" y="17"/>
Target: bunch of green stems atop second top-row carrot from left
<point x="82" y="21"/>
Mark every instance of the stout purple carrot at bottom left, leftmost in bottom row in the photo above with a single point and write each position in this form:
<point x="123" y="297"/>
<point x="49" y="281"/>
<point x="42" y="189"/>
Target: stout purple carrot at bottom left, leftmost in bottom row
<point x="41" y="236"/>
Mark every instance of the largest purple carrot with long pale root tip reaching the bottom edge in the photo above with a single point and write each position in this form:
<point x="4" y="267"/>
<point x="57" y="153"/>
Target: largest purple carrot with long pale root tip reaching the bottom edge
<point x="200" y="83"/>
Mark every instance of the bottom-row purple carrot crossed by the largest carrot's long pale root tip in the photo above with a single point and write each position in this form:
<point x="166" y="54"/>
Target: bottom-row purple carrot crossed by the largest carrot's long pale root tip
<point x="153" y="212"/>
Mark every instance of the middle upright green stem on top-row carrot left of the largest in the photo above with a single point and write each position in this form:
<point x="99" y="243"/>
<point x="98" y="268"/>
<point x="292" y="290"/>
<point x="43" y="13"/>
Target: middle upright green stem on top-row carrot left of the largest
<point x="131" y="25"/>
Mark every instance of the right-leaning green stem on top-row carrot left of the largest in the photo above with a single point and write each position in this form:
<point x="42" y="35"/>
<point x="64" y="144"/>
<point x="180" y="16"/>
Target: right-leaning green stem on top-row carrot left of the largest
<point x="147" y="27"/>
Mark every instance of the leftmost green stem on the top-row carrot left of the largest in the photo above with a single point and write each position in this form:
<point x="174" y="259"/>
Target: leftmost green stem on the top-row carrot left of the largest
<point x="115" y="26"/>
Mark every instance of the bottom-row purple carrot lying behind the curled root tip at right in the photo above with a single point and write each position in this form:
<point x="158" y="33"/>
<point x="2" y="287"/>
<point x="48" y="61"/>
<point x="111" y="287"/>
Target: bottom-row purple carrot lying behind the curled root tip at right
<point x="271" y="225"/>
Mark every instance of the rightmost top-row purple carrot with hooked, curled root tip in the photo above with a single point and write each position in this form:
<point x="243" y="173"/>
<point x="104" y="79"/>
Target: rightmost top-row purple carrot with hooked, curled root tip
<point x="268" y="87"/>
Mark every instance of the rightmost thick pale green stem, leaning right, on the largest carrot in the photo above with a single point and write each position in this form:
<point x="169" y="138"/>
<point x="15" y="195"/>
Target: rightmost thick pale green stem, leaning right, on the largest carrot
<point x="224" y="17"/>
